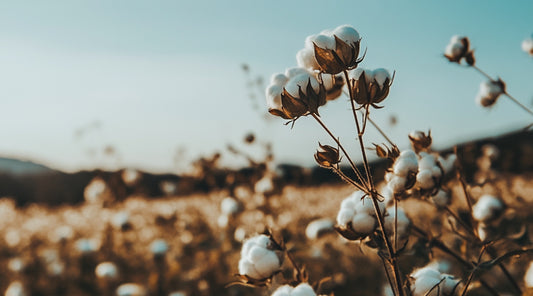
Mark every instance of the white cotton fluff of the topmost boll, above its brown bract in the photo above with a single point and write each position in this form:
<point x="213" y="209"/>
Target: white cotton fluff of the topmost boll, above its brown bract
<point x="326" y="40"/>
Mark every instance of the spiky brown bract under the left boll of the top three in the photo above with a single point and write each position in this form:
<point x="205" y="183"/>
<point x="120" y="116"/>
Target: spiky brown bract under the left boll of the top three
<point x="305" y="103"/>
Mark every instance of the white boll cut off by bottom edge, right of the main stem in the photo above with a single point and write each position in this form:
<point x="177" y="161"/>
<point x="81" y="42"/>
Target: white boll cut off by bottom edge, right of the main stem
<point x="428" y="281"/>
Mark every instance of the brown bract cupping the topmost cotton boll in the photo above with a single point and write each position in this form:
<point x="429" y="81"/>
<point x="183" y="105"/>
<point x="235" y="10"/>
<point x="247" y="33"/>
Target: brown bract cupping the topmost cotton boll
<point x="344" y="57"/>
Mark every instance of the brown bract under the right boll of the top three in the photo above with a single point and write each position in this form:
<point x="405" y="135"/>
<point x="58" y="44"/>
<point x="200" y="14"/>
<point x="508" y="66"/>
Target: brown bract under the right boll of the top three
<point x="369" y="92"/>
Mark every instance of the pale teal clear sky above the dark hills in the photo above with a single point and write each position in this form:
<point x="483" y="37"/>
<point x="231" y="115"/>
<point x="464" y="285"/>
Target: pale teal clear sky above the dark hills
<point x="150" y="78"/>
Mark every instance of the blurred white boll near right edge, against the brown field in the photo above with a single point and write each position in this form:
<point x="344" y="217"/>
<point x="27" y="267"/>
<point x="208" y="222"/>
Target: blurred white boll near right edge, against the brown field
<point x="485" y="211"/>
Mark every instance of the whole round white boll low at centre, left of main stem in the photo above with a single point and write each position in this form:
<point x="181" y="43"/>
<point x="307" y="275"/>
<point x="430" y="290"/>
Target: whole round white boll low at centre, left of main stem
<point x="258" y="259"/>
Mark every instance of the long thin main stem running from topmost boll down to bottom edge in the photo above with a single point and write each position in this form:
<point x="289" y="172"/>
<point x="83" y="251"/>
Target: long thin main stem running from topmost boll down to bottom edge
<point x="374" y="196"/>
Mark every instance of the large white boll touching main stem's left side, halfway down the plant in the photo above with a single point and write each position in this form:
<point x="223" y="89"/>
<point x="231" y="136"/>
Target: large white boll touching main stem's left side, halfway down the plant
<point x="357" y="214"/>
